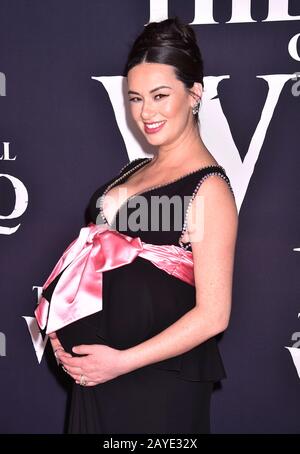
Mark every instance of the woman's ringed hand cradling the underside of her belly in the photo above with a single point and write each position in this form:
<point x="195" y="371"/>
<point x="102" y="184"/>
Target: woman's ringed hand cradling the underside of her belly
<point x="100" y="364"/>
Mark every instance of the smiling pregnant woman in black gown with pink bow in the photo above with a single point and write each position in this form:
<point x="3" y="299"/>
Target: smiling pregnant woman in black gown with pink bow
<point x="134" y="304"/>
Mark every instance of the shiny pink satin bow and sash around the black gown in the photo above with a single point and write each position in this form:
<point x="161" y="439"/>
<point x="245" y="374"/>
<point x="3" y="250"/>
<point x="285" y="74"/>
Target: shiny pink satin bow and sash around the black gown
<point x="97" y="249"/>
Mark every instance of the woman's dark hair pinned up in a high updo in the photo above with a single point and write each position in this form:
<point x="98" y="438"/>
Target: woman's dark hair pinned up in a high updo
<point x="173" y="43"/>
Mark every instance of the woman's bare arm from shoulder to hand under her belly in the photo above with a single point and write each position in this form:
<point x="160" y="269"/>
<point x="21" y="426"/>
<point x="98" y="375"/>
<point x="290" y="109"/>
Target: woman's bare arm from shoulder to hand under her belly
<point x="212" y="229"/>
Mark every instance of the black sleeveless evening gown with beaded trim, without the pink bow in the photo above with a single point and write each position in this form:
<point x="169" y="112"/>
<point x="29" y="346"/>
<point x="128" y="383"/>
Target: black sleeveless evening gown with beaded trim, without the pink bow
<point x="139" y="301"/>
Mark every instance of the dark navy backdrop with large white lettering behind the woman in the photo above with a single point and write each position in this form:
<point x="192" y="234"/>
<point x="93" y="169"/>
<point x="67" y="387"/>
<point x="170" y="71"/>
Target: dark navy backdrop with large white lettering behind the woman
<point x="63" y="134"/>
